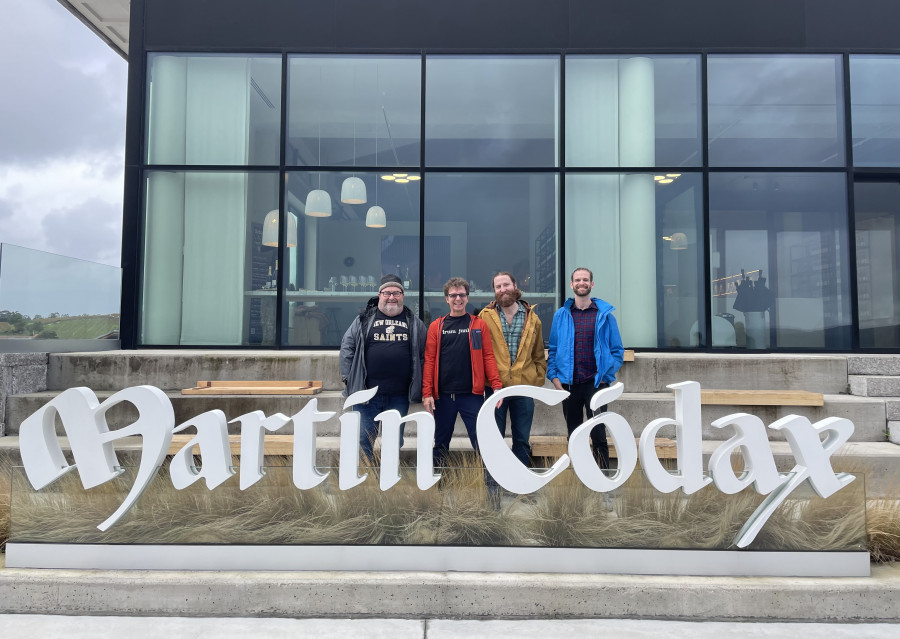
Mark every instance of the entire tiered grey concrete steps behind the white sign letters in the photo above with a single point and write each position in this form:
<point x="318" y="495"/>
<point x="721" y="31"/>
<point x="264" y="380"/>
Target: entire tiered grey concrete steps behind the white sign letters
<point x="874" y="405"/>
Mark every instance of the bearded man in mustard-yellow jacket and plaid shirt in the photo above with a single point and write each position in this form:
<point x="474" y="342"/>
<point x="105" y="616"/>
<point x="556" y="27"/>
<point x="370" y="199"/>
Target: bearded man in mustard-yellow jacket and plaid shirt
<point x="518" y="343"/>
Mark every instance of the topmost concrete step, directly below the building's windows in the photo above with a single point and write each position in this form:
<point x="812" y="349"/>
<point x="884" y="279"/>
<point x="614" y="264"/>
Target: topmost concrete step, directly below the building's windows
<point x="648" y="373"/>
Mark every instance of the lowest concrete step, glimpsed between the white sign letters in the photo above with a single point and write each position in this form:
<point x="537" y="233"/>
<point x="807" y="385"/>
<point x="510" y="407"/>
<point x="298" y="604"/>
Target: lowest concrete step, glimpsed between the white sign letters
<point x="878" y="461"/>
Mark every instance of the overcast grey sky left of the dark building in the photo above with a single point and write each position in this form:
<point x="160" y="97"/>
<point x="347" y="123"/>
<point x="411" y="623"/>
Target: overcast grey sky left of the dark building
<point x="62" y="134"/>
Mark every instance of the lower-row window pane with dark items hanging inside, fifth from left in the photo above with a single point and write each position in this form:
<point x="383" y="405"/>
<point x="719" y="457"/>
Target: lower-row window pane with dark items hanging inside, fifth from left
<point x="779" y="259"/>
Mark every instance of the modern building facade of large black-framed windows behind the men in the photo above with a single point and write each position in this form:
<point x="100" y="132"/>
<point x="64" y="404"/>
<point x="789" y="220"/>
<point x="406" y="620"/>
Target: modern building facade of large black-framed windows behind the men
<point x="729" y="171"/>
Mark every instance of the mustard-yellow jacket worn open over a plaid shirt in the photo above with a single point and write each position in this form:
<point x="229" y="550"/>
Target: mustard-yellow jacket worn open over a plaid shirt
<point x="530" y="366"/>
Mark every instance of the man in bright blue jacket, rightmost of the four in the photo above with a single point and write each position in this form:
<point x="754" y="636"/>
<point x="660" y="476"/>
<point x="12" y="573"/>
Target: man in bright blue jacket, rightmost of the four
<point x="585" y="352"/>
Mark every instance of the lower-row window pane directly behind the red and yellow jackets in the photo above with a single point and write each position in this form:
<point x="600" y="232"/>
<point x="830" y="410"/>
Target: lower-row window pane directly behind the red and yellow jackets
<point x="479" y="224"/>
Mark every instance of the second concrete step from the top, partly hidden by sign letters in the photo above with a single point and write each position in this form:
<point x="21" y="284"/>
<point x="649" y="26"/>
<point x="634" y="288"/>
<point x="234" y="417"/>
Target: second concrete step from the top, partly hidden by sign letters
<point x="867" y="413"/>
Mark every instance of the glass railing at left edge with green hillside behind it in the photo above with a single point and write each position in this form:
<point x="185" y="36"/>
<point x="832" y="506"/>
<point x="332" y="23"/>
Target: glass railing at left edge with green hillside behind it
<point x="53" y="303"/>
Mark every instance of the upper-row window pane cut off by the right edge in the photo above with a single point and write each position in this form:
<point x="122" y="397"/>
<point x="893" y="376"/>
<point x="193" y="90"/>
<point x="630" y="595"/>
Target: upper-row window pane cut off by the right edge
<point x="875" y="109"/>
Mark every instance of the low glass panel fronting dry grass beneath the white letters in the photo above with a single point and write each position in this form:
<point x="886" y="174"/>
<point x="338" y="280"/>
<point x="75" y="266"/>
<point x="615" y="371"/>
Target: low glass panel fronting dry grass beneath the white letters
<point x="463" y="508"/>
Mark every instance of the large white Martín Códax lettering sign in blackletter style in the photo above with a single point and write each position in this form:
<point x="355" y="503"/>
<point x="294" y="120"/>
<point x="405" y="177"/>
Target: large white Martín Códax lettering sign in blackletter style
<point x="84" y="419"/>
